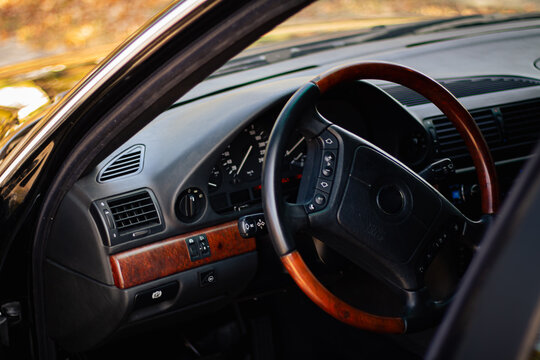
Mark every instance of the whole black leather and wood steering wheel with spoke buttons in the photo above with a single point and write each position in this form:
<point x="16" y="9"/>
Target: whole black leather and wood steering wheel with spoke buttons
<point x="367" y="205"/>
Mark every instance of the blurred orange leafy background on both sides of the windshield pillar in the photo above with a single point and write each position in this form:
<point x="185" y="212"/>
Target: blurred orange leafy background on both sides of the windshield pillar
<point x="63" y="25"/>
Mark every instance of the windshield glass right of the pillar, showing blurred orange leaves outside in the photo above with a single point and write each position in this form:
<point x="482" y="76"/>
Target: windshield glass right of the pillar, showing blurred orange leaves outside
<point x="326" y="17"/>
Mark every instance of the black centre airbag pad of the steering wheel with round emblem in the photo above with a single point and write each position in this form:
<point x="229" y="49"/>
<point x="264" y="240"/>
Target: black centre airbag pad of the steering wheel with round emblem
<point x="385" y="207"/>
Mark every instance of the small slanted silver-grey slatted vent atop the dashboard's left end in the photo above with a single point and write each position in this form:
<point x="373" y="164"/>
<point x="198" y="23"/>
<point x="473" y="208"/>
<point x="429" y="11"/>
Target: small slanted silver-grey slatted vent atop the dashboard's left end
<point x="130" y="162"/>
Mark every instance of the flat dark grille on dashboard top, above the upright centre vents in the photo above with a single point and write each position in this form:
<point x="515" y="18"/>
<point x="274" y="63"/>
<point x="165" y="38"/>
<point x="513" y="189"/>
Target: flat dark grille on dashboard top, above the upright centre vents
<point x="462" y="87"/>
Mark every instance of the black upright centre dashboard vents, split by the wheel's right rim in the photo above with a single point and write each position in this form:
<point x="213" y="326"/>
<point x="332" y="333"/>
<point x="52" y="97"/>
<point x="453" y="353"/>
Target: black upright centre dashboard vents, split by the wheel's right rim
<point x="510" y="130"/>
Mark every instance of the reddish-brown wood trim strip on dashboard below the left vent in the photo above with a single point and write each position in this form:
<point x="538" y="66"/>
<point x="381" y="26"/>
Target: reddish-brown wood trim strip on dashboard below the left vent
<point x="170" y="256"/>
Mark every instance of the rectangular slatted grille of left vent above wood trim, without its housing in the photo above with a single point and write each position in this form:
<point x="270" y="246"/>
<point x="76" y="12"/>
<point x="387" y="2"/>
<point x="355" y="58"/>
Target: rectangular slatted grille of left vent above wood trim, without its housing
<point x="134" y="211"/>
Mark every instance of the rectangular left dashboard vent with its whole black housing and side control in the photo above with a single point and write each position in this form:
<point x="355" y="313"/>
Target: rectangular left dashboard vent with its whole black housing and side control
<point x="128" y="216"/>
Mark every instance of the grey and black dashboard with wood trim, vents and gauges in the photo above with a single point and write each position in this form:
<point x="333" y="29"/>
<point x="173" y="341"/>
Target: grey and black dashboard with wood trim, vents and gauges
<point x="151" y="231"/>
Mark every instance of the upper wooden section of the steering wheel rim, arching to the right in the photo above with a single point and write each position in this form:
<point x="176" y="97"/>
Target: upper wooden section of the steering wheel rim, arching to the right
<point x="444" y="100"/>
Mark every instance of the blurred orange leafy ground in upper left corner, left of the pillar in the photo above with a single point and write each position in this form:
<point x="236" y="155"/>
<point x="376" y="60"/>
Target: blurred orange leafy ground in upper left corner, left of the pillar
<point x="69" y="24"/>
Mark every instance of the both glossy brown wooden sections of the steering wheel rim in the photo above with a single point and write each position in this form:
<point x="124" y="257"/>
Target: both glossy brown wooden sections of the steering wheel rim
<point x="474" y="141"/>
